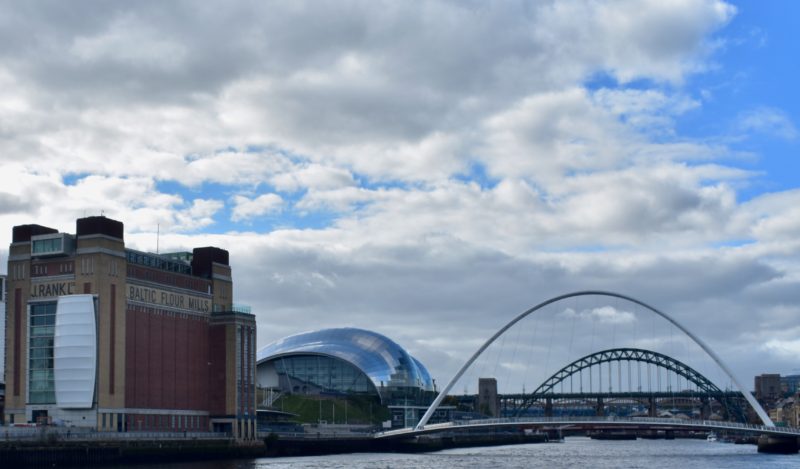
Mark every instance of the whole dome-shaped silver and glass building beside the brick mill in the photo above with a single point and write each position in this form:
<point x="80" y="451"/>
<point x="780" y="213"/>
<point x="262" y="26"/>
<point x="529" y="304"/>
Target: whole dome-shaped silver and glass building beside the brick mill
<point x="347" y="361"/>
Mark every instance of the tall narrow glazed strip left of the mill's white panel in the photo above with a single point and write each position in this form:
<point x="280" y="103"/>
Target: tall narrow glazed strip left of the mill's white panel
<point x="41" y="388"/>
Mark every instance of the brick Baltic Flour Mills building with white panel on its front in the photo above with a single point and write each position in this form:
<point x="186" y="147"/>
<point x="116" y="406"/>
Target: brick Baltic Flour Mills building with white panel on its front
<point x="99" y="335"/>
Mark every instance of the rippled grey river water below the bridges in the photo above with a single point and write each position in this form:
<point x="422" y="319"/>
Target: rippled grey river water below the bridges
<point x="573" y="452"/>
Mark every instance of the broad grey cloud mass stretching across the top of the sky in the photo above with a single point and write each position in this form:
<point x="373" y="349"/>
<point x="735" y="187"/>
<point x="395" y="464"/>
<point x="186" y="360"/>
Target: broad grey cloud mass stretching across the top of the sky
<point x="387" y="90"/>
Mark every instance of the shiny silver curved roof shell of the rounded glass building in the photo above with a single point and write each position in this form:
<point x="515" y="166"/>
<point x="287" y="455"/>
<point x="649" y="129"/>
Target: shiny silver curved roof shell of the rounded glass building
<point x="386" y="363"/>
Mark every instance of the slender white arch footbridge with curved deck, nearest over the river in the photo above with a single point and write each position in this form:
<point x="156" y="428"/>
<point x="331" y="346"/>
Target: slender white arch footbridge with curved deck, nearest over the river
<point x="767" y="427"/>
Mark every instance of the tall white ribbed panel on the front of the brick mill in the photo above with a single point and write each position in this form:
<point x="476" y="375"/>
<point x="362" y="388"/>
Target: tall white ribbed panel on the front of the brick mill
<point x="75" y="351"/>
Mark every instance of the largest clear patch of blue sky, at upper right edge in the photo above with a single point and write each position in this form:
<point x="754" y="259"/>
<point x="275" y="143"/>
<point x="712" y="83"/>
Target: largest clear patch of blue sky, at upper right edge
<point x="754" y="73"/>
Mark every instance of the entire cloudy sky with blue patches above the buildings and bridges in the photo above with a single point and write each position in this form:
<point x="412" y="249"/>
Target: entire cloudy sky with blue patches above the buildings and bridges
<point x="430" y="169"/>
